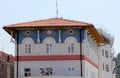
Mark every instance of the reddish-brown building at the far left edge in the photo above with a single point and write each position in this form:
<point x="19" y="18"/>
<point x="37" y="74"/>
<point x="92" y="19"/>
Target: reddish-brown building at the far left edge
<point x="6" y="65"/>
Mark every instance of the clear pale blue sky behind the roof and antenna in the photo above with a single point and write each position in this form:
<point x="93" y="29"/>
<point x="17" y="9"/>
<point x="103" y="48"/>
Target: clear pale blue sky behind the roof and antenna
<point x="103" y="14"/>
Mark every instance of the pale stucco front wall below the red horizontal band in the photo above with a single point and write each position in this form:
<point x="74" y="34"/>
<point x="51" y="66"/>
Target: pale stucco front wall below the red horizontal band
<point x="60" y="68"/>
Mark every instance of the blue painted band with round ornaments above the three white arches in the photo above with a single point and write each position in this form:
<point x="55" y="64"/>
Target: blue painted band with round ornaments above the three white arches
<point x="55" y="35"/>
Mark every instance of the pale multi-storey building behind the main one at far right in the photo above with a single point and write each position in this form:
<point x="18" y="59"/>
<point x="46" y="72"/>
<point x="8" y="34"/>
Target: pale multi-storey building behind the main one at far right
<point x="106" y="56"/>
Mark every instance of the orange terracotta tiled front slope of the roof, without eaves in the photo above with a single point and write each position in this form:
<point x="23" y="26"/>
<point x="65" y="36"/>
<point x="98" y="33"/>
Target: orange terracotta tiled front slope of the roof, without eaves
<point x="50" y="22"/>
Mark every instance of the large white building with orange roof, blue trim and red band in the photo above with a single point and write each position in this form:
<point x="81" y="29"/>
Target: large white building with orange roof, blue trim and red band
<point x="57" y="47"/>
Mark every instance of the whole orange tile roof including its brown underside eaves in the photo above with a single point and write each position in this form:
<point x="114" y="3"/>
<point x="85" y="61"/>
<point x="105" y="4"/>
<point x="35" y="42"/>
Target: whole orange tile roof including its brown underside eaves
<point x="56" y="22"/>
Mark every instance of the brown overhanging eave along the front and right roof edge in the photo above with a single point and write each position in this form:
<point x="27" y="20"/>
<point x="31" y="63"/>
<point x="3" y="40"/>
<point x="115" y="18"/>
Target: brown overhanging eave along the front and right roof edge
<point x="90" y="28"/>
